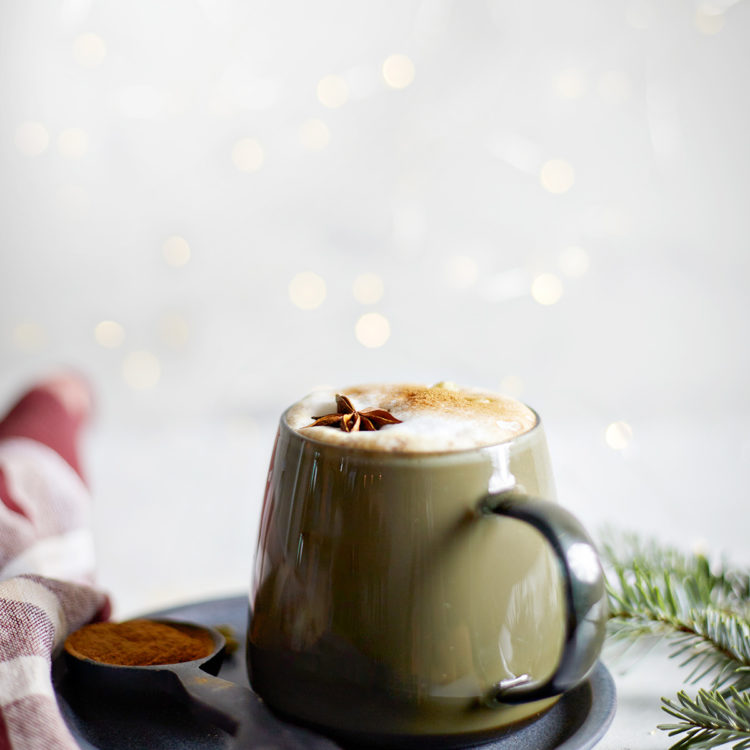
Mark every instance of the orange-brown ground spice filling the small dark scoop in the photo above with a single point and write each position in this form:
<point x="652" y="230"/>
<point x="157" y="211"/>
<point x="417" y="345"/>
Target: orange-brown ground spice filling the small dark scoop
<point x="140" y="643"/>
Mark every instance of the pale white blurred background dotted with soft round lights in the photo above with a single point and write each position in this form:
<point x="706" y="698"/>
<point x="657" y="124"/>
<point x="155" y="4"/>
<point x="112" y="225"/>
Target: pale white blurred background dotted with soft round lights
<point x="210" y="207"/>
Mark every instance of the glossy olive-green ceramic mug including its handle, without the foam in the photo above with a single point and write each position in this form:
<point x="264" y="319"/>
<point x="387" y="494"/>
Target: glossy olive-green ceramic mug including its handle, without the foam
<point x="436" y="596"/>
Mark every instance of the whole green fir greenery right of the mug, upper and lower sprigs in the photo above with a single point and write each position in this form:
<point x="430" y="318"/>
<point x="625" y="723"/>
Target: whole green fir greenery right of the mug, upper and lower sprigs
<point x="661" y="592"/>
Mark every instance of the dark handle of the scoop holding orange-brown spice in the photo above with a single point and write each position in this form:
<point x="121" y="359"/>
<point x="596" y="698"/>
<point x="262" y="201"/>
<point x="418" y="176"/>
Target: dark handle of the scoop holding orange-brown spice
<point x="240" y="712"/>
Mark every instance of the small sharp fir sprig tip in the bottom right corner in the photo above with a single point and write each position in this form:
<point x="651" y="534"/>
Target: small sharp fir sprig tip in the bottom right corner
<point x="709" y="720"/>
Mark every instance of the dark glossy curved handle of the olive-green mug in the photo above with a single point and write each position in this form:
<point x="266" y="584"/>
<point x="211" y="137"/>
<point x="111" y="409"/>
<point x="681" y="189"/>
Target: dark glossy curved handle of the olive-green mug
<point x="585" y="596"/>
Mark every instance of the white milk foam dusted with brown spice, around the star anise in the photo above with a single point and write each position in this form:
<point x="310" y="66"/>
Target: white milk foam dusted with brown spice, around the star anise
<point x="436" y="418"/>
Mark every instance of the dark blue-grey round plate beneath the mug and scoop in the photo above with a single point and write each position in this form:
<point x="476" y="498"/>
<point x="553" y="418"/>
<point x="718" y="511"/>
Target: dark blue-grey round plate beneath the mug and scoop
<point x="576" y="722"/>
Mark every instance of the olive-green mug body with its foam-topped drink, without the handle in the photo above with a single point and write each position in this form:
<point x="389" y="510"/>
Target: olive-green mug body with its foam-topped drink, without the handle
<point x="384" y="603"/>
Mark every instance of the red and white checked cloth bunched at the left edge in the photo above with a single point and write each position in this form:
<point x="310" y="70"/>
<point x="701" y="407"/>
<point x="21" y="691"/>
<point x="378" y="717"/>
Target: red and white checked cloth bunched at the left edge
<point x="46" y="558"/>
